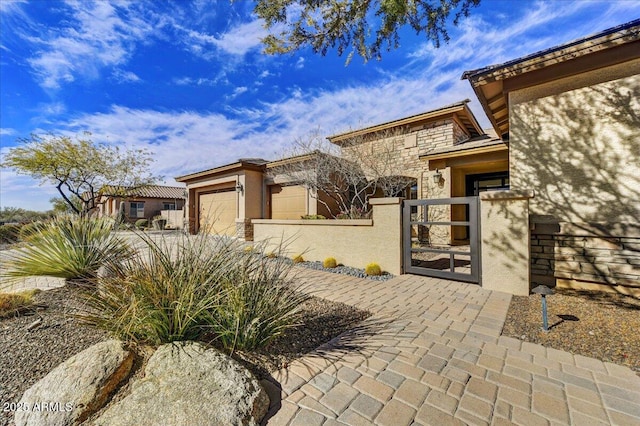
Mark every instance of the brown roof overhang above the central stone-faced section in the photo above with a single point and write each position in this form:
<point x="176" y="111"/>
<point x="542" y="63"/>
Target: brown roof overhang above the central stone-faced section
<point x="459" y="111"/>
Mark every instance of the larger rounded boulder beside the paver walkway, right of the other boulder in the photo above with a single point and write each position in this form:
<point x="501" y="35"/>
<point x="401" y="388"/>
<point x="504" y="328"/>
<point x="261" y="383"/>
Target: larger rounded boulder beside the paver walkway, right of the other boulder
<point x="186" y="383"/>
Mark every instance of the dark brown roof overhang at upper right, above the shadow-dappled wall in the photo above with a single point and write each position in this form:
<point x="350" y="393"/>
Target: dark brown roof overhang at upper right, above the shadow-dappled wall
<point x="492" y="84"/>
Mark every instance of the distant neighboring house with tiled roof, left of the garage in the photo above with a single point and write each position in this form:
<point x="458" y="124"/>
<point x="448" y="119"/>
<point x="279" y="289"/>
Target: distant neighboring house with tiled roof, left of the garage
<point x="146" y="203"/>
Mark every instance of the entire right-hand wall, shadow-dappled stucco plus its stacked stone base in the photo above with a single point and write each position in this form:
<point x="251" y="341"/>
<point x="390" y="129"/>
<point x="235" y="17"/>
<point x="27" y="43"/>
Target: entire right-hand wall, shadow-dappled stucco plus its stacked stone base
<point x="576" y="142"/>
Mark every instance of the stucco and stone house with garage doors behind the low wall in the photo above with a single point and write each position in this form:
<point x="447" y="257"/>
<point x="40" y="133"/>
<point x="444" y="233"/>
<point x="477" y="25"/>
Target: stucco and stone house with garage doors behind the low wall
<point x="225" y="199"/>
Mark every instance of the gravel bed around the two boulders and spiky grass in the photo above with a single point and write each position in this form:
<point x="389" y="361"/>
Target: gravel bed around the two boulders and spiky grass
<point x="27" y="356"/>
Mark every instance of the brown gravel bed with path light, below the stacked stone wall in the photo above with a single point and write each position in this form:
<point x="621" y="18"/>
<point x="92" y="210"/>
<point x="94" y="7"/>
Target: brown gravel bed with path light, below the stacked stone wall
<point x="605" y="326"/>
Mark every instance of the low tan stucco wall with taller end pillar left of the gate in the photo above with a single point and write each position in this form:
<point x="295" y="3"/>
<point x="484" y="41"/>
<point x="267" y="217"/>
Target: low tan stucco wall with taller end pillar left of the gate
<point x="352" y="242"/>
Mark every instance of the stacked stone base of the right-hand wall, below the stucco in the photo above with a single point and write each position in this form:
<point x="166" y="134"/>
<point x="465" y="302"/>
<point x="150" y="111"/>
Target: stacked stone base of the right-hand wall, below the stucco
<point x="586" y="255"/>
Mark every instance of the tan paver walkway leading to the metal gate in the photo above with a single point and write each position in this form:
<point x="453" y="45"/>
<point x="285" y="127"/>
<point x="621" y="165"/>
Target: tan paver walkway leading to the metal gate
<point x="432" y="354"/>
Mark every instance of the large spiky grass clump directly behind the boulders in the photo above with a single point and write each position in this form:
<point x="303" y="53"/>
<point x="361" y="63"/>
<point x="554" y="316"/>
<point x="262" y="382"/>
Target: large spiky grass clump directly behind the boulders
<point x="178" y="291"/>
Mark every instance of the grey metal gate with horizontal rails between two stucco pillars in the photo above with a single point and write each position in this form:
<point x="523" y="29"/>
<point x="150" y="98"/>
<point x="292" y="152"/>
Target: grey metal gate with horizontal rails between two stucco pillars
<point x="428" y="232"/>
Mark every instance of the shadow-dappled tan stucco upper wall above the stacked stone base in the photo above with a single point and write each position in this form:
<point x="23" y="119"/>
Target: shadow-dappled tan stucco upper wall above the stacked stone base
<point x="576" y="142"/>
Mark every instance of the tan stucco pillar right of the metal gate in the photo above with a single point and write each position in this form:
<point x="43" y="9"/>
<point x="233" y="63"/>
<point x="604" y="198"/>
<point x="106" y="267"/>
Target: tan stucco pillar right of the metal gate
<point x="504" y="230"/>
